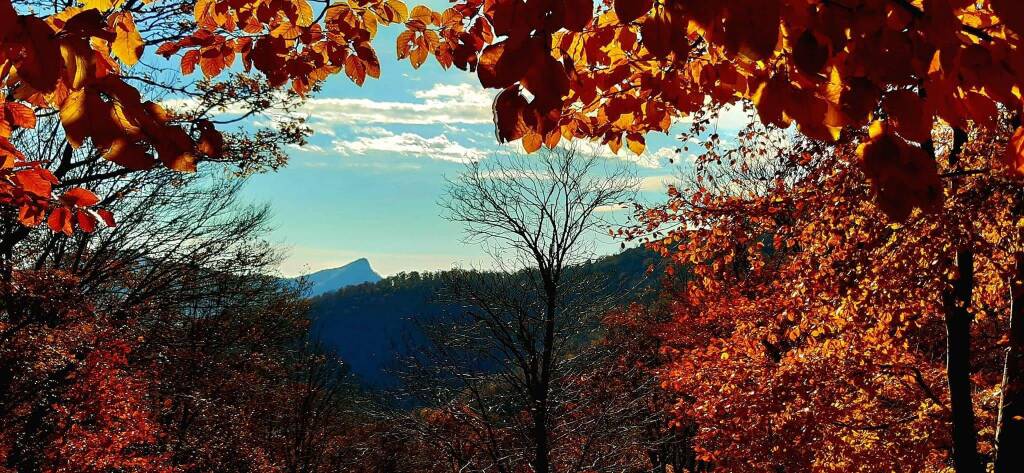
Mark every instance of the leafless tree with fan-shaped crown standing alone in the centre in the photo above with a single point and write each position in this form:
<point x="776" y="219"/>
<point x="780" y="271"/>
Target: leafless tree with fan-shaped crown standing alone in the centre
<point x="510" y="349"/>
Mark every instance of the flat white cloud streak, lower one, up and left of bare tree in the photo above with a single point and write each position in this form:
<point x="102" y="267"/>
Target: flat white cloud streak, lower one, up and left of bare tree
<point x="438" y="148"/>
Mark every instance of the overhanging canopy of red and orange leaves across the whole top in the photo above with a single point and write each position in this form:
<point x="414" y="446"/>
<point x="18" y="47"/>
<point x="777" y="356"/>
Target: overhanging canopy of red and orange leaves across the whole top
<point x="608" y="71"/>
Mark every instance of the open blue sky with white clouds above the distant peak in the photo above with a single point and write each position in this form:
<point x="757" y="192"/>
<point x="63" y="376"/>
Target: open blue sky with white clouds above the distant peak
<point x="368" y="184"/>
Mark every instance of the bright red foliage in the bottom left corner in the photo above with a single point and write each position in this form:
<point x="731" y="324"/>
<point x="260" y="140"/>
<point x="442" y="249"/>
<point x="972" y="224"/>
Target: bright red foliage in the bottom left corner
<point x="70" y="400"/>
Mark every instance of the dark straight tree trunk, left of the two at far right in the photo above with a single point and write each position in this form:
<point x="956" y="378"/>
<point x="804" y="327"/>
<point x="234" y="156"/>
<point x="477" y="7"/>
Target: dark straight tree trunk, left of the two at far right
<point x="958" y="319"/>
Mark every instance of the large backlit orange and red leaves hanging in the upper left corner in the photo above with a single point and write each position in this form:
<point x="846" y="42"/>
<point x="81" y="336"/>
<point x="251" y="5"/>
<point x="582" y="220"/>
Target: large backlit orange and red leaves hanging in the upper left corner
<point x="72" y="63"/>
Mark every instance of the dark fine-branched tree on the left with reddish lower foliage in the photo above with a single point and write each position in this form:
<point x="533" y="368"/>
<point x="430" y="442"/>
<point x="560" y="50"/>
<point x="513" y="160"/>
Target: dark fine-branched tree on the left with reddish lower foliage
<point x="166" y="334"/>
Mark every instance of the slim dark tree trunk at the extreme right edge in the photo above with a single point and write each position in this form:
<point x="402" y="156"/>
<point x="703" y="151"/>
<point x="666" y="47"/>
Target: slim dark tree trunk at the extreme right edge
<point x="1010" y="428"/>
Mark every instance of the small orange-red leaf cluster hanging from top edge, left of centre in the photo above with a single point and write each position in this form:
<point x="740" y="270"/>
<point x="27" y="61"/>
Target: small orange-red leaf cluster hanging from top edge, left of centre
<point x="285" y="42"/>
